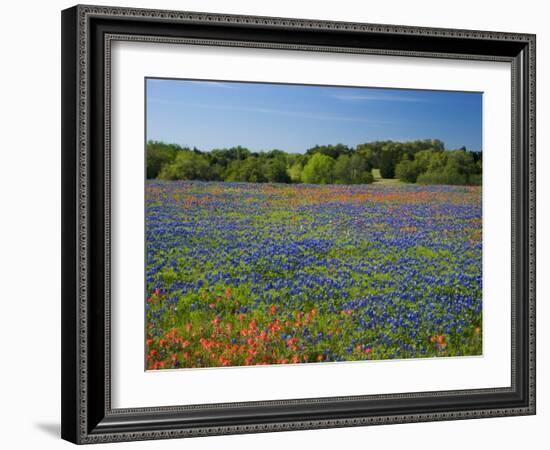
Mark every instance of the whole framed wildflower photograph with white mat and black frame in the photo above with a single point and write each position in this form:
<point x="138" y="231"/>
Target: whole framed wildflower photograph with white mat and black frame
<point x="278" y="224"/>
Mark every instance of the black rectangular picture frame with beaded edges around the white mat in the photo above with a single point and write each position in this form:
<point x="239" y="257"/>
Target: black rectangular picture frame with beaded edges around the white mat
<point x="87" y="416"/>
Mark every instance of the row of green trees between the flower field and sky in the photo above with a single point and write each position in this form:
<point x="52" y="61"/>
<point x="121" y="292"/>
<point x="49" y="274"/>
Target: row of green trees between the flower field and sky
<point x="420" y="161"/>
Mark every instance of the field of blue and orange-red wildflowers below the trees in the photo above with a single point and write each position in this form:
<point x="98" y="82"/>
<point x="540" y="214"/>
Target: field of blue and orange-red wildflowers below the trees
<point x="245" y="274"/>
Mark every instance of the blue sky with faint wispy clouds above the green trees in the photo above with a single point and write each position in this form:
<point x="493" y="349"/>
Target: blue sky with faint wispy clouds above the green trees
<point x="260" y="116"/>
